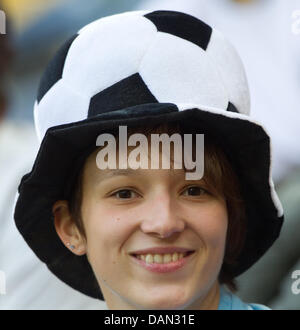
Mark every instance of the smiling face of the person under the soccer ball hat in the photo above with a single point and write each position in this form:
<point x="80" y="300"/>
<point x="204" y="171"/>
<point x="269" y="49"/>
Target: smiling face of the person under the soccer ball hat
<point x="126" y="211"/>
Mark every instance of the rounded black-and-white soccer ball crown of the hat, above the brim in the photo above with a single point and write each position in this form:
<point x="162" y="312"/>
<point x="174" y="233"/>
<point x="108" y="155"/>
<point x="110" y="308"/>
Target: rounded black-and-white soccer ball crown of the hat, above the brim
<point x="140" y="57"/>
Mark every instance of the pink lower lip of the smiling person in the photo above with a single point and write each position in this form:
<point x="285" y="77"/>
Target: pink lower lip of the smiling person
<point x="164" y="268"/>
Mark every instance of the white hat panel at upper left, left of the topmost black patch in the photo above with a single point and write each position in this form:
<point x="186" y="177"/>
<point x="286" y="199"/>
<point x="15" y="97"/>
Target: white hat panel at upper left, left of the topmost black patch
<point x="107" y="51"/>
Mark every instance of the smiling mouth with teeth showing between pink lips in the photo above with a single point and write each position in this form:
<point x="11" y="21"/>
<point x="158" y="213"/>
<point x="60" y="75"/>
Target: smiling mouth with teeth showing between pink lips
<point x="163" y="263"/>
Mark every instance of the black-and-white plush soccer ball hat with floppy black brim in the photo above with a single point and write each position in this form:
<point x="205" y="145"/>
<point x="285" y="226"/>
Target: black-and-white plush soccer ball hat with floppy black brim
<point x="134" y="69"/>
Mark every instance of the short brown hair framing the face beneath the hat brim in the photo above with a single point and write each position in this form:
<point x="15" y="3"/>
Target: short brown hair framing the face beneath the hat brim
<point x="222" y="181"/>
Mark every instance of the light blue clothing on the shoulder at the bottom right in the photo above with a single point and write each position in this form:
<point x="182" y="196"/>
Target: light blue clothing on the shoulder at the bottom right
<point x="230" y="301"/>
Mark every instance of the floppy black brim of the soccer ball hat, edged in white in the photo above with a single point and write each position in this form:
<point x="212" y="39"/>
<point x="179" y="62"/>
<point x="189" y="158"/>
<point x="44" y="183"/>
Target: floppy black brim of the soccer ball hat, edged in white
<point x="244" y="141"/>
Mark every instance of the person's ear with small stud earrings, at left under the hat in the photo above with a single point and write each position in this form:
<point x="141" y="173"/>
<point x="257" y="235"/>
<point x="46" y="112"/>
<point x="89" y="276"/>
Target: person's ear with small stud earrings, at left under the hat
<point x="66" y="228"/>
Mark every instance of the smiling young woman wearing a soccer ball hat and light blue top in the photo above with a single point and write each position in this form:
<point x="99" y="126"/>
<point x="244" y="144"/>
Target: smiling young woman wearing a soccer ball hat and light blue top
<point x="144" y="238"/>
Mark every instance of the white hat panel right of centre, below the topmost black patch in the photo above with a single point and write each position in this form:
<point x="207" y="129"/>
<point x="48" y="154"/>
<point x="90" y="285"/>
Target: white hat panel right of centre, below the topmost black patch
<point x="176" y="70"/>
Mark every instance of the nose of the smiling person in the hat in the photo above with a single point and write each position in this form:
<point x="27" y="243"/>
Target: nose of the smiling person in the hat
<point x="161" y="217"/>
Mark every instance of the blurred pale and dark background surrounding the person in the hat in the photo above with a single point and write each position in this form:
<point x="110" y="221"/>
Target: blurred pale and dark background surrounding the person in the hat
<point x="266" y="33"/>
